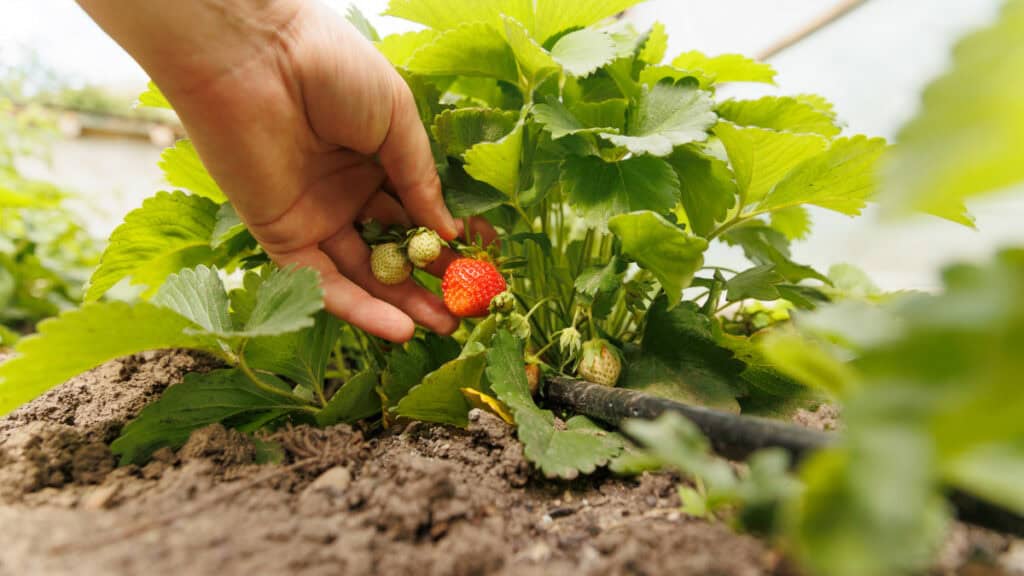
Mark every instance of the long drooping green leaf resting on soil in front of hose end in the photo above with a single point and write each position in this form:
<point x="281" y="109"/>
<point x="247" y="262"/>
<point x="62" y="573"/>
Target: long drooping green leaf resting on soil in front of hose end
<point x="582" y="447"/>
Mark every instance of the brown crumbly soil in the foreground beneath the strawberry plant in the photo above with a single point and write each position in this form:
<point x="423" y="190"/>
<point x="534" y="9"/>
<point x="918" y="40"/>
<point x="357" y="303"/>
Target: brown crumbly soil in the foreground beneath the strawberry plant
<point x="421" y="500"/>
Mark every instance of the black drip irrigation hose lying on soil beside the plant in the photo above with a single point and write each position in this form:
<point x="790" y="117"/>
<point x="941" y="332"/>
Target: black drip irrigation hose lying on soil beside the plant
<point x="737" y="437"/>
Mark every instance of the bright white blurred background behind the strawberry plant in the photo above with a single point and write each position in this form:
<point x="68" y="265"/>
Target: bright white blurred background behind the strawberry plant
<point x="872" y="65"/>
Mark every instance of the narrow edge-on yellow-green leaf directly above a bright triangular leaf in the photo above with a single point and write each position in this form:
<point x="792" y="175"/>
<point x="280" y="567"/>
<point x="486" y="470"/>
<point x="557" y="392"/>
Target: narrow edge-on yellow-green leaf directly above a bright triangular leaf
<point x="781" y="113"/>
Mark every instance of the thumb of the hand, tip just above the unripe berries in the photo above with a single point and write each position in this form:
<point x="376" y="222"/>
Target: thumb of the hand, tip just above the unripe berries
<point x="407" y="158"/>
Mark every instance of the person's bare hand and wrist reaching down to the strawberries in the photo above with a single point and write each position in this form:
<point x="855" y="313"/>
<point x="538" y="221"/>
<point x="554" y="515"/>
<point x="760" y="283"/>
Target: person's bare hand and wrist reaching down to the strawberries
<point x="308" y="130"/>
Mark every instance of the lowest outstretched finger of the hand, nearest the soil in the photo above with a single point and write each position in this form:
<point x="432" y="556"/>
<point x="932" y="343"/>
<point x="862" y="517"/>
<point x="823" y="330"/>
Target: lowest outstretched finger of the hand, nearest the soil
<point x="350" y="303"/>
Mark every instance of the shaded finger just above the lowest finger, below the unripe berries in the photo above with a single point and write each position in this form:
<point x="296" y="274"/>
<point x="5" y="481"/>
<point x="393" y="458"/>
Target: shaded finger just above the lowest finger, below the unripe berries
<point x="352" y="257"/>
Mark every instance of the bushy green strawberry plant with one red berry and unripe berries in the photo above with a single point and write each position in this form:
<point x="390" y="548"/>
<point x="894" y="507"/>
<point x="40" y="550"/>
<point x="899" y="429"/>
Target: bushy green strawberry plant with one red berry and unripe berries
<point x="607" y="171"/>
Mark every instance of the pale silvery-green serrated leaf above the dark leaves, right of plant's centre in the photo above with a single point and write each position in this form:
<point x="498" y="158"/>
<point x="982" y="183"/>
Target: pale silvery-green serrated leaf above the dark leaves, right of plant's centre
<point x="667" y="116"/>
